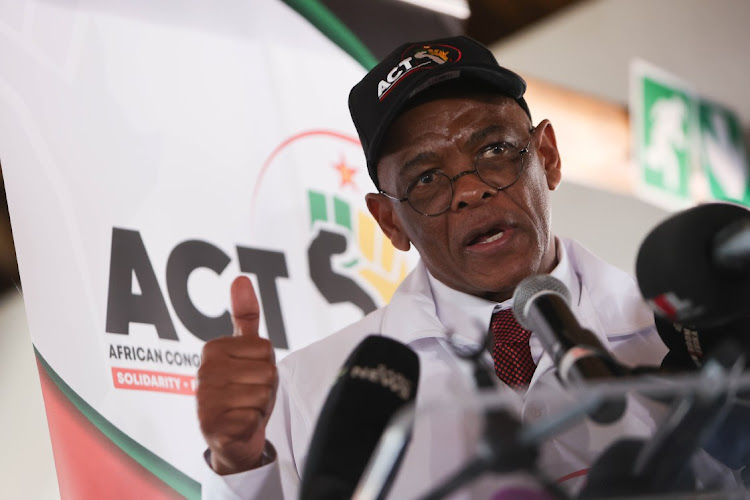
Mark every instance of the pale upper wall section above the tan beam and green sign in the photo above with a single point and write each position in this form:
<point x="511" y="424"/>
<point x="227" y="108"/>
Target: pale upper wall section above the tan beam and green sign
<point x="589" y="47"/>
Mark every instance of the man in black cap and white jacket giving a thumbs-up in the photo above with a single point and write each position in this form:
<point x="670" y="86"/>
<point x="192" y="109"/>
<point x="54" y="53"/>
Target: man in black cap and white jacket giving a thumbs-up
<point x="464" y="175"/>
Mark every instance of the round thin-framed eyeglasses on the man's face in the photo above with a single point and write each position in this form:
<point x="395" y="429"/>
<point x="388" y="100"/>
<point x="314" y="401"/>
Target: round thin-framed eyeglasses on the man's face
<point x="499" y="166"/>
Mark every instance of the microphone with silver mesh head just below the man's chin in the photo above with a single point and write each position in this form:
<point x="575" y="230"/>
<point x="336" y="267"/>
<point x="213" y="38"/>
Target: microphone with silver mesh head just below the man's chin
<point x="541" y="304"/>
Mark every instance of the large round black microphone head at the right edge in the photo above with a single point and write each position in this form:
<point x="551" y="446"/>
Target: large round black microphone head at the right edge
<point x="680" y="275"/>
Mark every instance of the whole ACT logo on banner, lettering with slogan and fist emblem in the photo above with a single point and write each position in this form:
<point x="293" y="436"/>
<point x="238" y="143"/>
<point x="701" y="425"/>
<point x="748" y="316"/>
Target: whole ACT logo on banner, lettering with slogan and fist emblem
<point x="314" y="246"/>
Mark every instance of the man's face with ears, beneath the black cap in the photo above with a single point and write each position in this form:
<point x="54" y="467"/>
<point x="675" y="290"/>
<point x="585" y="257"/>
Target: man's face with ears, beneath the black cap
<point x="488" y="240"/>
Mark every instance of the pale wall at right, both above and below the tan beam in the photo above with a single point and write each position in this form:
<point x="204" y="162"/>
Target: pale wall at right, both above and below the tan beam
<point x="588" y="48"/>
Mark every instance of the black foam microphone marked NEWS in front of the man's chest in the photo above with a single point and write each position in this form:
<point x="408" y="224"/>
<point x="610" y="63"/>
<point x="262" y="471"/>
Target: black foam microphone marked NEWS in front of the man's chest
<point x="378" y="378"/>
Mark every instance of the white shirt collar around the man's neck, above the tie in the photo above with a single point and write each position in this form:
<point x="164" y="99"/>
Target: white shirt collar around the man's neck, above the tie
<point x="467" y="316"/>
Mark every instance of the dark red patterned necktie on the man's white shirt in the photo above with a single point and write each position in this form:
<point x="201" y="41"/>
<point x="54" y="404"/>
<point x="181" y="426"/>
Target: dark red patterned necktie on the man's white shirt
<point x="510" y="350"/>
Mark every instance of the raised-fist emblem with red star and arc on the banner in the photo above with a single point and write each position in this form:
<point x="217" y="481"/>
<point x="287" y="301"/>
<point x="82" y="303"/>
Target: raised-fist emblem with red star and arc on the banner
<point x="335" y="251"/>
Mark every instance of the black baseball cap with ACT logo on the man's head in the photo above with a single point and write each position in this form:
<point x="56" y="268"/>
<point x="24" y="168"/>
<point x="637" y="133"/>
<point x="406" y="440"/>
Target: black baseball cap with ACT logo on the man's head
<point x="414" y="67"/>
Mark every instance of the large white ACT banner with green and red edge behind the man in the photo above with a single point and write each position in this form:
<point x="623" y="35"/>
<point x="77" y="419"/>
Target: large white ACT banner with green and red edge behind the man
<point x="151" y="153"/>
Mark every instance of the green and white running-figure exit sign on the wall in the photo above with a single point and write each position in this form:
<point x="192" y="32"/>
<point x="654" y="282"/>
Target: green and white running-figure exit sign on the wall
<point x="687" y="148"/>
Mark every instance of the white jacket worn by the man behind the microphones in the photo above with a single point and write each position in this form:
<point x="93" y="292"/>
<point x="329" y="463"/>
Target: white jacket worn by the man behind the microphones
<point x="608" y="303"/>
